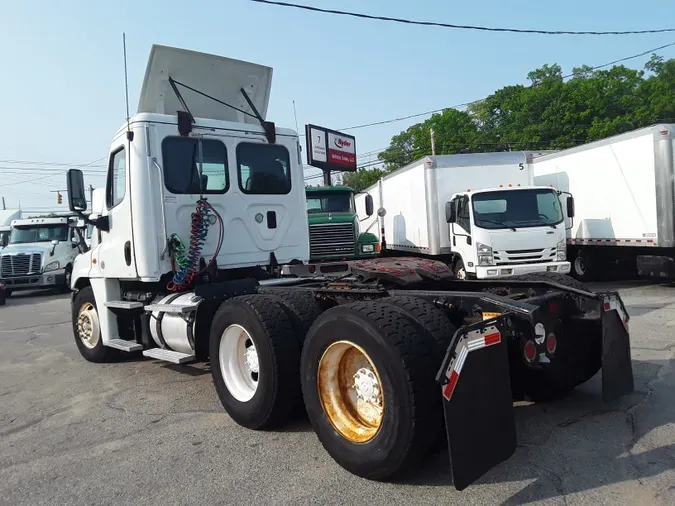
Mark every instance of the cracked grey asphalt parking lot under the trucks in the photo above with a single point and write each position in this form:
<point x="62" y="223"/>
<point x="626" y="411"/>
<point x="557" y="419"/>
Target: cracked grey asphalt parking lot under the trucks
<point x="143" y="432"/>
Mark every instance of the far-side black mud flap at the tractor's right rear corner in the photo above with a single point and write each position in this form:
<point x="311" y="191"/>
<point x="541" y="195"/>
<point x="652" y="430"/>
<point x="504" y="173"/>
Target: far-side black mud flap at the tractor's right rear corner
<point x="617" y="368"/>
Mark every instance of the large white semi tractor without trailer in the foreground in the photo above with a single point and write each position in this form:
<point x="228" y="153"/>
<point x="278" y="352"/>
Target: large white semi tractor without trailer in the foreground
<point x="192" y="258"/>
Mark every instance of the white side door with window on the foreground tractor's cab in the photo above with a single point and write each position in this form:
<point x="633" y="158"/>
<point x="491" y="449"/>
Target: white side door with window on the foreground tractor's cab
<point x="115" y="254"/>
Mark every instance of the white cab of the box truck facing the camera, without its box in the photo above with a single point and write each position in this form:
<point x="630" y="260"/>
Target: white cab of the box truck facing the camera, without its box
<point x="508" y="231"/>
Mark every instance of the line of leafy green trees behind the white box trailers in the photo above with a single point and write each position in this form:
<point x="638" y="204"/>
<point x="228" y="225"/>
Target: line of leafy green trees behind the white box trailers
<point x="553" y="112"/>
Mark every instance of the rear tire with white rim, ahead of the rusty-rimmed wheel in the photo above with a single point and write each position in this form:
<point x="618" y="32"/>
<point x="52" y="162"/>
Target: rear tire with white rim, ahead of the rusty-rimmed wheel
<point x="255" y="361"/>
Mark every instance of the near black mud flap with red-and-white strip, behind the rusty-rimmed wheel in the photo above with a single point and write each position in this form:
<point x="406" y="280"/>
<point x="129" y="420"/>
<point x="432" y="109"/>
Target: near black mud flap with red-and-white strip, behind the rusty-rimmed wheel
<point x="477" y="401"/>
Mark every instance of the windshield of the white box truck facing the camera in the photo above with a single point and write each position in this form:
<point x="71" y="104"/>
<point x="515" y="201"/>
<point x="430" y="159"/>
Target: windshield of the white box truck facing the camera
<point x="516" y="208"/>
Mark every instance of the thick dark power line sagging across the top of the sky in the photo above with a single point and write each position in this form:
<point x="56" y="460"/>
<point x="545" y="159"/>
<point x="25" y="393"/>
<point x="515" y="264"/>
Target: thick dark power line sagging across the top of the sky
<point x="459" y="27"/>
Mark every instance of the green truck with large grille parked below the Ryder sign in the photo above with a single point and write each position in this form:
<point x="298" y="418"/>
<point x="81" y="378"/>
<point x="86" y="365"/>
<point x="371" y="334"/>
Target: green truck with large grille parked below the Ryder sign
<point x="334" y="233"/>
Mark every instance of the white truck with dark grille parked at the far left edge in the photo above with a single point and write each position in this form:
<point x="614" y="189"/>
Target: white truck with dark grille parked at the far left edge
<point x="40" y="254"/>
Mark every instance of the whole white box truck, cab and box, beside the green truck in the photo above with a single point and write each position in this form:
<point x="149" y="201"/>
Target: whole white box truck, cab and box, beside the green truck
<point x="479" y="212"/>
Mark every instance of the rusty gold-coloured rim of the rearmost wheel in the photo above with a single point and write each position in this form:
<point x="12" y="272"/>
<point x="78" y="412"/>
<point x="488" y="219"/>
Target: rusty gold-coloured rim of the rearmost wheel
<point x="350" y="391"/>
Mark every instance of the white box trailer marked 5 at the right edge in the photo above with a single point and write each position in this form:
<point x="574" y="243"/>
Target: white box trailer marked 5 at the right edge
<point x="625" y="202"/>
